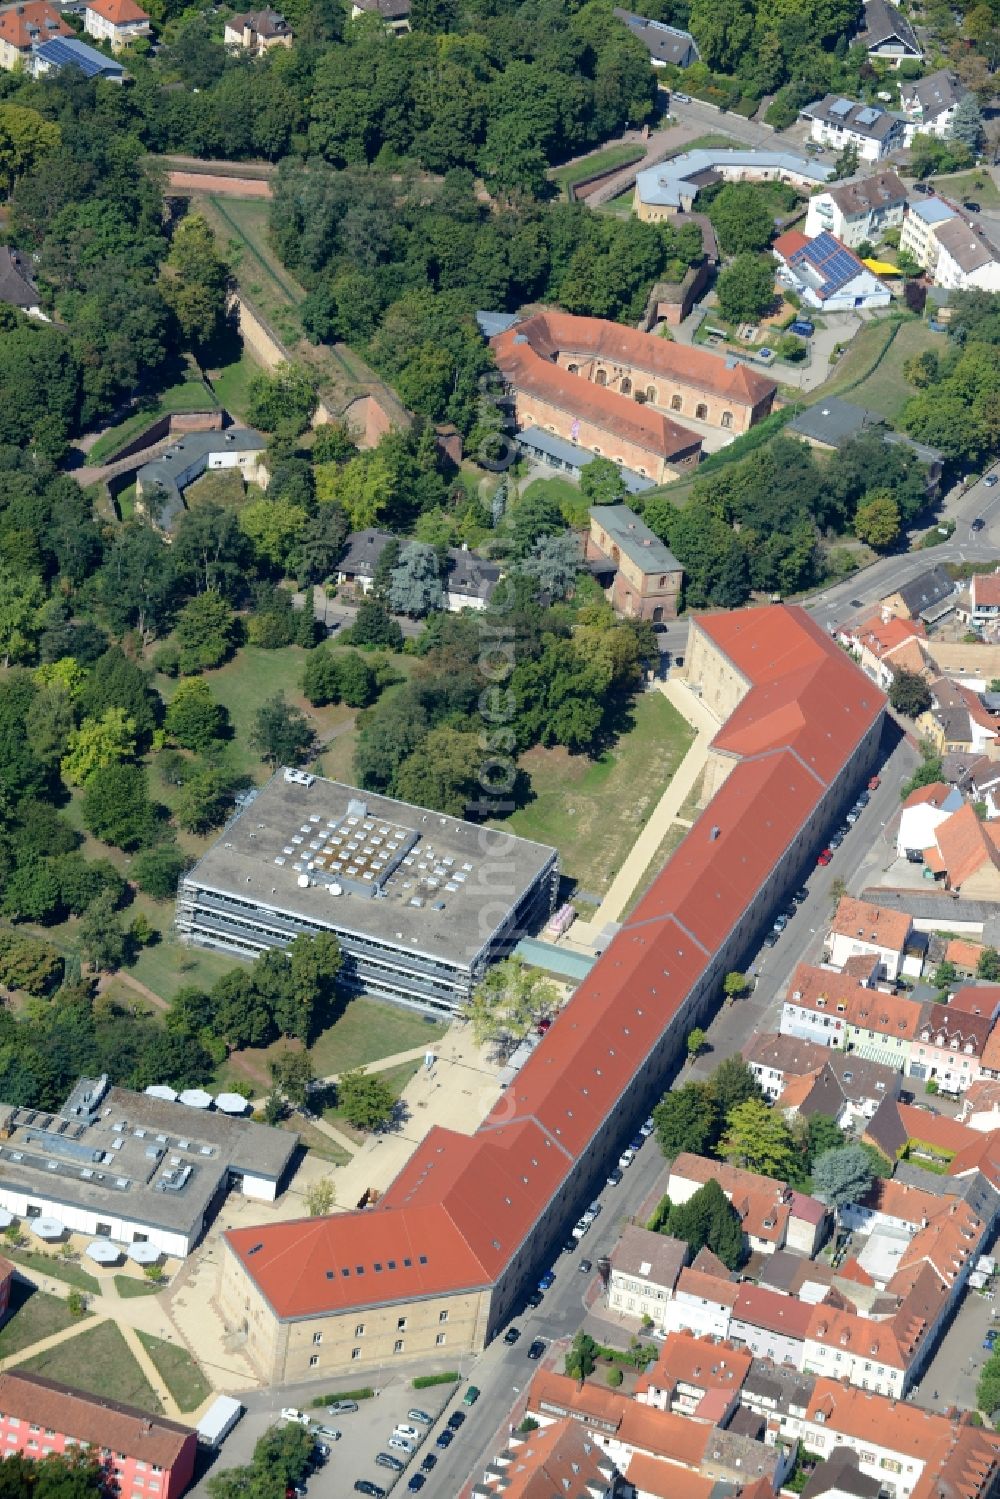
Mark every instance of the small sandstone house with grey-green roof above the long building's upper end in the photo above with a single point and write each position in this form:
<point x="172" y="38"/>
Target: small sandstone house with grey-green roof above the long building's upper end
<point x="644" y="575"/>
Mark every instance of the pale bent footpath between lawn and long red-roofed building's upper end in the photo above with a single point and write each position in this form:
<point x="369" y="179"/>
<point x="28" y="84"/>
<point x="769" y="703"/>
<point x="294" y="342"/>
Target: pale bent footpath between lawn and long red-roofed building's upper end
<point x="665" y="813"/>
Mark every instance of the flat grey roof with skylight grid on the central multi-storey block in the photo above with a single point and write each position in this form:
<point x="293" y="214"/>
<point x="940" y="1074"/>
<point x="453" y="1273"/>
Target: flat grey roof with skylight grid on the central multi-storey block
<point x="430" y="884"/>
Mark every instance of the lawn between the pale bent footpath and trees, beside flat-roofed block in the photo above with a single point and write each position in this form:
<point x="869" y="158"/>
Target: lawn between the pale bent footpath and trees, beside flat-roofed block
<point x="575" y="797"/>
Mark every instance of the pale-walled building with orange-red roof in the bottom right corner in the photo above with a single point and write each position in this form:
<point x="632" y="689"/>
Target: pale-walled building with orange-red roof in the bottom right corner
<point x="911" y="1452"/>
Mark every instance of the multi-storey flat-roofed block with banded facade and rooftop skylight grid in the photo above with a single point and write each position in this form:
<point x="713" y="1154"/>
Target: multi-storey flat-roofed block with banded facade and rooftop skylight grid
<point x="421" y="903"/>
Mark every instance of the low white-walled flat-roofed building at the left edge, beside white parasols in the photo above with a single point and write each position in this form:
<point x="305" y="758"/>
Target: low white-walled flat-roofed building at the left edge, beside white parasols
<point x="134" y="1167"/>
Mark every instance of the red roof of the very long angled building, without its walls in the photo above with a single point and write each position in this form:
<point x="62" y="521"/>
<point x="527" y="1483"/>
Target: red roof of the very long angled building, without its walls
<point x="470" y="1203"/>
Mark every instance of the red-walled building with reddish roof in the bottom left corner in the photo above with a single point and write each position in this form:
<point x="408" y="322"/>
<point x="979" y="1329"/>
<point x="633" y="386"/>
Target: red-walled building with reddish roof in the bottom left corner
<point x="140" y="1453"/>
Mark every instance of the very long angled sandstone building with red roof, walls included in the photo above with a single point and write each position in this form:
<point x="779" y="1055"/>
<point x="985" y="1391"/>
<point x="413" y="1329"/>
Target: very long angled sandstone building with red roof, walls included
<point x="458" y="1240"/>
